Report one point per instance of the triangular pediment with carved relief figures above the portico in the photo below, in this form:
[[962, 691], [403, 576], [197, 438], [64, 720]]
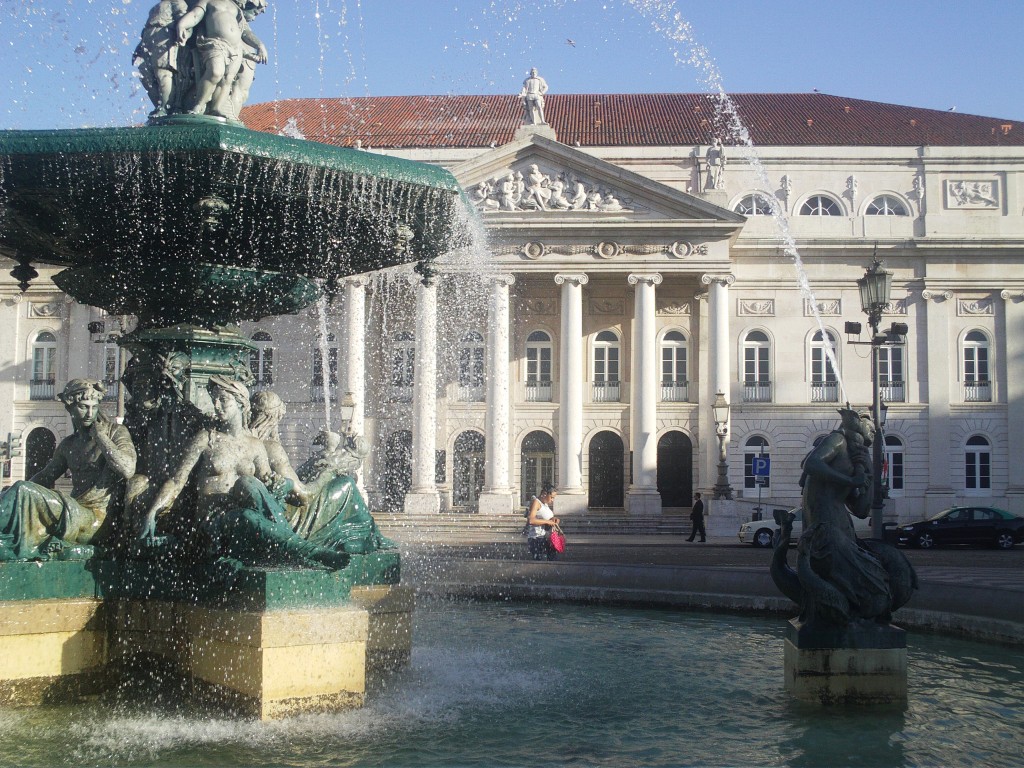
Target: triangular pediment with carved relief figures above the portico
[[536, 177]]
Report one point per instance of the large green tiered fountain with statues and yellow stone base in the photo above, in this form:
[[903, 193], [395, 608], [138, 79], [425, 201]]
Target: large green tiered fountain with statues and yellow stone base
[[267, 587]]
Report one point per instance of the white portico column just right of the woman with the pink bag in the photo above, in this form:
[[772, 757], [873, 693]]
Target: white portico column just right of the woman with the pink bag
[[571, 371]]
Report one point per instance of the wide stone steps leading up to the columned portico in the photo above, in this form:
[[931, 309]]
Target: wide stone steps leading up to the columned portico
[[474, 527]]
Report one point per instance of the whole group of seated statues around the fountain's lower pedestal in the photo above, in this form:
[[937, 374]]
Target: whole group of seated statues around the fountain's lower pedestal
[[245, 503]]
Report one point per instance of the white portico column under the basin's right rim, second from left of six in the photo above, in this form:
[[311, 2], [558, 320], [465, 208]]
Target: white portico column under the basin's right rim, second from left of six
[[423, 496]]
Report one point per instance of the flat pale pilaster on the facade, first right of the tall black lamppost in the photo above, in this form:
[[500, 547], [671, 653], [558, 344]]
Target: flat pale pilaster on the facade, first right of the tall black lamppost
[[940, 493]]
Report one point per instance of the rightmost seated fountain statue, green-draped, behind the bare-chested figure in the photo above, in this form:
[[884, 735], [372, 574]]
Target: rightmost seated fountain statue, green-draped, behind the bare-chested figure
[[334, 514]]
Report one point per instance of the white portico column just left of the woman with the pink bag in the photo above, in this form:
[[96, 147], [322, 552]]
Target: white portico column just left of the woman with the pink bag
[[498, 496]]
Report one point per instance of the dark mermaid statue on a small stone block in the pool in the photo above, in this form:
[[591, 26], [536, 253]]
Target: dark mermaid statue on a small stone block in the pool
[[841, 580]]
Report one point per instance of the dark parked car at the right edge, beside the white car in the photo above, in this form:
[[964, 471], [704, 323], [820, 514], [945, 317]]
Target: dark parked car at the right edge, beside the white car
[[987, 527]]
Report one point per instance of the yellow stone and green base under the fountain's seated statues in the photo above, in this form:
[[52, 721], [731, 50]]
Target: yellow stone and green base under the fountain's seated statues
[[270, 654]]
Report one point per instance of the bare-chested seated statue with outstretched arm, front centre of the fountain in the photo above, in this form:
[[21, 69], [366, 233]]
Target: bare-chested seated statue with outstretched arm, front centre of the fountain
[[241, 501]]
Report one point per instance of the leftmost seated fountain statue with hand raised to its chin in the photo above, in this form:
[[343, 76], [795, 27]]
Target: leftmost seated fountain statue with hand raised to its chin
[[38, 523]]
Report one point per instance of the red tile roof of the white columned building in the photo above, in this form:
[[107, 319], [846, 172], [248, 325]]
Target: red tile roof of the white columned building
[[628, 120]]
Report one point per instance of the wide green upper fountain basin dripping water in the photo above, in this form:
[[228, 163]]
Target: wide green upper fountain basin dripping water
[[204, 222]]
